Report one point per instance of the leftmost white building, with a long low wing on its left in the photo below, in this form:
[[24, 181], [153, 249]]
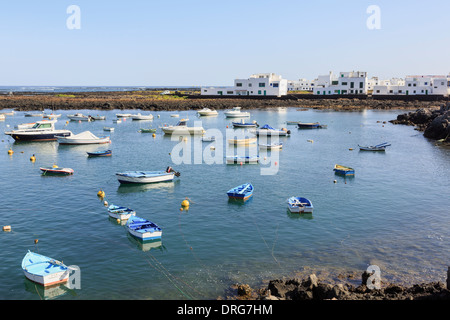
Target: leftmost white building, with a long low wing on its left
[[261, 84]]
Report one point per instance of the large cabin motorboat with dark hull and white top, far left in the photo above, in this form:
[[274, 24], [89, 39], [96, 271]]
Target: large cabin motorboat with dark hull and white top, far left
[[43, 130]]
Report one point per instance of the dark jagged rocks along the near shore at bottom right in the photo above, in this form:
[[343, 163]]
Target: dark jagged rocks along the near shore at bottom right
[[314, 288]]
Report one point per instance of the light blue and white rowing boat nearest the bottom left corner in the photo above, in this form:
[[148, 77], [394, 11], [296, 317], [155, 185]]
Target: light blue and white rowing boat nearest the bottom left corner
[[44, 270]]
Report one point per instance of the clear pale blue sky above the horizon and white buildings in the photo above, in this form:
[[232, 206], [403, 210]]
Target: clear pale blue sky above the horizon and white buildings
[[211, 43]]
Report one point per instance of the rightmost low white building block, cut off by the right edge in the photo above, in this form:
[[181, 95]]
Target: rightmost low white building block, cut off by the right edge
[[415, 85]]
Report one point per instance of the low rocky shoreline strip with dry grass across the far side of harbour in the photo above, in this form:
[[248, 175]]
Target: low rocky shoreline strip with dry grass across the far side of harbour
[[151, 101]]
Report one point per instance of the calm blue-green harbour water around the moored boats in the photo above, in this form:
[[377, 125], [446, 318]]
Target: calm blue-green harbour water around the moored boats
[[394, 213]]
